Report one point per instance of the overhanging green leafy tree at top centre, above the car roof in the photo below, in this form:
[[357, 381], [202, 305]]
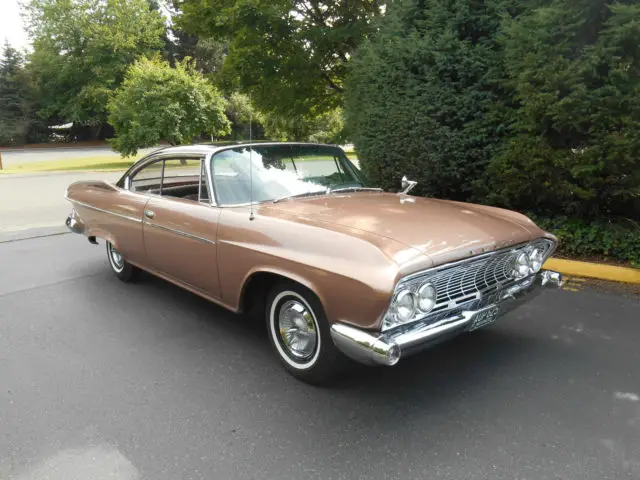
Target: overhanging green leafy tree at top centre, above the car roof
[[291, 54]]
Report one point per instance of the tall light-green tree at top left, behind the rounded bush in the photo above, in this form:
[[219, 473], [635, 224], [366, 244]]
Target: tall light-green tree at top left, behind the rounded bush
[[81, 49]]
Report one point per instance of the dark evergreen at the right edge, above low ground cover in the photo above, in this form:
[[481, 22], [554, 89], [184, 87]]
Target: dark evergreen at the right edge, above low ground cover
[[574, 67]]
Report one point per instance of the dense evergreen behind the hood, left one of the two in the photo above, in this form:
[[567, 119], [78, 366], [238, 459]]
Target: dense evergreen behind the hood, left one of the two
[[424, 97]]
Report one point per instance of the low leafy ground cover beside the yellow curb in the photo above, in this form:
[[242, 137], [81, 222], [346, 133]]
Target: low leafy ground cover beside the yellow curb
[[614, 240]]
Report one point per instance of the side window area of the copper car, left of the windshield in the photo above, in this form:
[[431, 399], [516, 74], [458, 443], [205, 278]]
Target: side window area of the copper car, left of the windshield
[[173, 177]]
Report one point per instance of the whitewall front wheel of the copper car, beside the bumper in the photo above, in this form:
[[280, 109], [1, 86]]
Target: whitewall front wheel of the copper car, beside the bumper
[[299, 333]]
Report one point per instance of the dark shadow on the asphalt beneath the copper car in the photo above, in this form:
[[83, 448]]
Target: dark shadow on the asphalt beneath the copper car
[[444, 370]]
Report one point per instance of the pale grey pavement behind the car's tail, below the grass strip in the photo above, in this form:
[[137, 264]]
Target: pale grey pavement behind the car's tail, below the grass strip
[[36, 202]]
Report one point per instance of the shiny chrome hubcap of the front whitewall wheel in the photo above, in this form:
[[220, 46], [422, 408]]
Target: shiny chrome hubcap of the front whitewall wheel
[[297, 329]]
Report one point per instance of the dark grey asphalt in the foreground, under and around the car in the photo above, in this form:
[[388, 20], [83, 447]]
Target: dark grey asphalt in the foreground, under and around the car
[[100, 379]]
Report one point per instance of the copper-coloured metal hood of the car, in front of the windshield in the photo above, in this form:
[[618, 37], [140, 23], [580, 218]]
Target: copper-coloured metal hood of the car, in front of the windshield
[[444, 230]]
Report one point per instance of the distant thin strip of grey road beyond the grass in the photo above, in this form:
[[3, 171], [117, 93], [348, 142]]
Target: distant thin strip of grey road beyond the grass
[[14, 157]]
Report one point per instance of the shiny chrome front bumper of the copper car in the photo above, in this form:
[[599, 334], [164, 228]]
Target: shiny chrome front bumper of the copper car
[[375, 348]]
